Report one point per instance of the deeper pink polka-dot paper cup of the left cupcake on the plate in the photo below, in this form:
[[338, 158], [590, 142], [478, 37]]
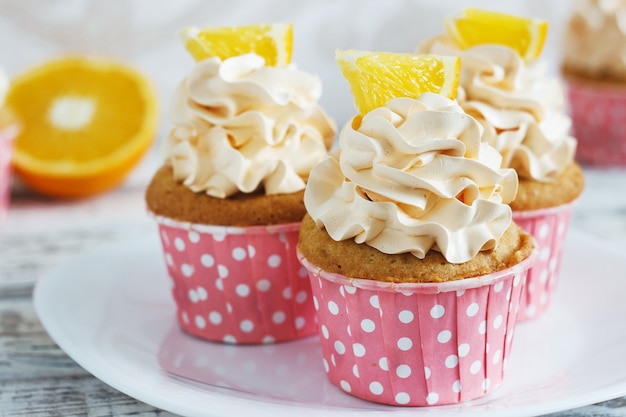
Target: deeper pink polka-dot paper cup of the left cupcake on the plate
[[238, 284]]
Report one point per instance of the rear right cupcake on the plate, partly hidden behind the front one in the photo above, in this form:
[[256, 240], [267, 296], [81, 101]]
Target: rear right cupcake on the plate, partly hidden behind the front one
[[521, 109]]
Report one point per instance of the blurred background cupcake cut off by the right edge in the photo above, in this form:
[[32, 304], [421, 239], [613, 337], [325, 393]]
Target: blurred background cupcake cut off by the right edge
[[594, 68]]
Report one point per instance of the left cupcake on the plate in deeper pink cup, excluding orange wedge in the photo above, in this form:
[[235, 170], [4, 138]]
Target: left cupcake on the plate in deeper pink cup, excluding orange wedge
[[228, 199]]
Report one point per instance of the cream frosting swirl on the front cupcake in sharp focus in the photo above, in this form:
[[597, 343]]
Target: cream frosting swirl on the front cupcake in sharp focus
[[414, 176]]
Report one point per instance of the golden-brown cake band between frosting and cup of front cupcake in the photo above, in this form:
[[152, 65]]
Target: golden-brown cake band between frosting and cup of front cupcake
[[355, 260]]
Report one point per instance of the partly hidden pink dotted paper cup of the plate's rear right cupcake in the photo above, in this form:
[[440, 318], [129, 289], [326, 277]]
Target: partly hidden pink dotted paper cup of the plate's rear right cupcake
[[549, 228]]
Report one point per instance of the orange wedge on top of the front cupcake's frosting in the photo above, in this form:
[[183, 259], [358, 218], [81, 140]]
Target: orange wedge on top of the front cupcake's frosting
[[377, 77]]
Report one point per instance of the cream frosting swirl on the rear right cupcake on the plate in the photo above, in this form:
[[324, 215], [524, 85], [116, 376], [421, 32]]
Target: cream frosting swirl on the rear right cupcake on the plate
[[521, 108]]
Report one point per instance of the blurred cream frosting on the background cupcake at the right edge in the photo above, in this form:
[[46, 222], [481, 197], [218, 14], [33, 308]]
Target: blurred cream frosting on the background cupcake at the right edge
[[595, 39]]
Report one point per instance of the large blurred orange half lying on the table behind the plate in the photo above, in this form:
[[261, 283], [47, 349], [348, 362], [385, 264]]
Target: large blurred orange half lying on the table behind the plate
[[86, 122]]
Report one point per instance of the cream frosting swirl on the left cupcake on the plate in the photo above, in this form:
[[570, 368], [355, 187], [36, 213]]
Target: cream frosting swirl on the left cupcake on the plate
[[239, 125]]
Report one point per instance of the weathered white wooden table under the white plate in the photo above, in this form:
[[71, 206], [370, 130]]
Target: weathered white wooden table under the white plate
[[38, 379]]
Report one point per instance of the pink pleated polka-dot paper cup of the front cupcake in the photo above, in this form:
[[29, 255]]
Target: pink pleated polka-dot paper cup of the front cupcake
[[417, 344]]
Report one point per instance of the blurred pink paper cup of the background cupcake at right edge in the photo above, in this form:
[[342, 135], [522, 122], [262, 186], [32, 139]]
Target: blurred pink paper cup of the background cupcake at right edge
[[599, 124]]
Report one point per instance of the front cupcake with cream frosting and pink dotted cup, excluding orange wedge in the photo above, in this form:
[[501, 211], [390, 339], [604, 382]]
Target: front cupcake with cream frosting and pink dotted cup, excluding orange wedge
[[415, 263]]
